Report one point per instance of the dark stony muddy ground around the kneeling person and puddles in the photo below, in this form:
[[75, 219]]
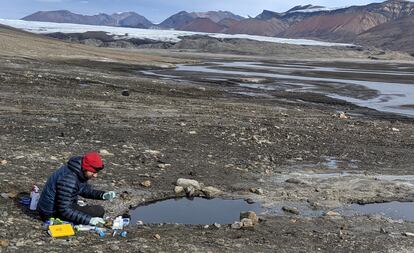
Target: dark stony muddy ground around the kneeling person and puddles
[[293, 150]]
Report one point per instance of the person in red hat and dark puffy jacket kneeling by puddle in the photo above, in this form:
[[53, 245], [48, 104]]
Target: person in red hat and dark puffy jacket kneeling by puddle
[[60, 195]]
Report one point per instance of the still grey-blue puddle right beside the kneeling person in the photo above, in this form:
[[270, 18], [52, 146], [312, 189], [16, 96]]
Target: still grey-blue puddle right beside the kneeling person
[[193, 211]]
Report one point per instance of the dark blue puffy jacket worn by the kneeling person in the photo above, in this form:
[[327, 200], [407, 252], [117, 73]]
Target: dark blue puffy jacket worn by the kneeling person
[[62, 190]]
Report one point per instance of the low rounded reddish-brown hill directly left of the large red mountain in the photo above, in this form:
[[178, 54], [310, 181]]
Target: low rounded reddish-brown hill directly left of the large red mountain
[[252, 26]]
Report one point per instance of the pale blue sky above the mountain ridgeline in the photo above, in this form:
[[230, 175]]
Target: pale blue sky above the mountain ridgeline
[[158, 10]]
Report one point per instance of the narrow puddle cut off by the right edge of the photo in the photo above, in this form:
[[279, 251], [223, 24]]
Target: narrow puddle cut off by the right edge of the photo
[[394, 210]]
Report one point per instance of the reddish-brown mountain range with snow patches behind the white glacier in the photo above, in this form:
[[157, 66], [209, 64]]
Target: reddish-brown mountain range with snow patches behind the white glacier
[[367, 25]]
